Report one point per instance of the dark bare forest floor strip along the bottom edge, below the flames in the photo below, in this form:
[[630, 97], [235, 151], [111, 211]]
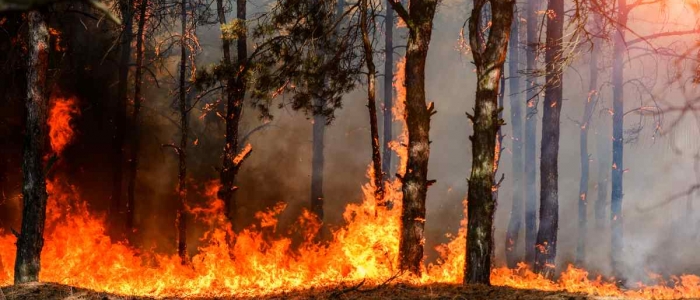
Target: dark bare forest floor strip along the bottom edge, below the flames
[[51, 291]]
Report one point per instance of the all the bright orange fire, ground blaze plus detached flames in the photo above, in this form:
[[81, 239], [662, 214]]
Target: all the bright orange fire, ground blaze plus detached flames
[[78, 252]]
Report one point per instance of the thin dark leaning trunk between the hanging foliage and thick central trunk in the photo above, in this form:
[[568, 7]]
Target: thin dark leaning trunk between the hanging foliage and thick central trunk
[[371, 102]]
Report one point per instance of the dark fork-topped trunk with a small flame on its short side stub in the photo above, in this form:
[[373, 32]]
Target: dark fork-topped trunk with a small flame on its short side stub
[[235, 94]]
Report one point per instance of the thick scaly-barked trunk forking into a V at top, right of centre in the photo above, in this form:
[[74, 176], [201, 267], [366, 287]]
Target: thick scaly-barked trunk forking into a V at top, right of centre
[[489, 56]]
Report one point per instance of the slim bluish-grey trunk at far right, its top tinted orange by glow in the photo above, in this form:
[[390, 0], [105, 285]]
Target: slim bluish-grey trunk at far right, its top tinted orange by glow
[[618, 139]]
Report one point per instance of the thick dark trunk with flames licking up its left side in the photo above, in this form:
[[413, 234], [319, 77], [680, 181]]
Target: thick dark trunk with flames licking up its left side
[[415, 182]]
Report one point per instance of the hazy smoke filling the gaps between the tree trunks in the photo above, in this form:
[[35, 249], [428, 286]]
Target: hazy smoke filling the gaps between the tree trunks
[[661, 240]]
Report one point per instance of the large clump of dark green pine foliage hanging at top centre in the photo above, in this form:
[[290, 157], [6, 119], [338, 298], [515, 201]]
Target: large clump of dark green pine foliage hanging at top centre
[[308, 59]]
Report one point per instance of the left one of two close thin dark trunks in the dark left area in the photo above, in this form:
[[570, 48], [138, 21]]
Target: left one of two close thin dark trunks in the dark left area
[[125, 7]]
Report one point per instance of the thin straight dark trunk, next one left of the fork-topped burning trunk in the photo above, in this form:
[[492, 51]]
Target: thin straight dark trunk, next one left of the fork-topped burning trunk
[[181, 218]]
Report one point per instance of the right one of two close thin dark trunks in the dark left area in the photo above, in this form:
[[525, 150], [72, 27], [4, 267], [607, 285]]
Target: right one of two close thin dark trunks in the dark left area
[[136, 128]]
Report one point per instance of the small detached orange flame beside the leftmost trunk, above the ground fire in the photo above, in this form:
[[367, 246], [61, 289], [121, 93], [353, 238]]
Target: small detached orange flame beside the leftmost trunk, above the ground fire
[[60, 131]]
